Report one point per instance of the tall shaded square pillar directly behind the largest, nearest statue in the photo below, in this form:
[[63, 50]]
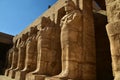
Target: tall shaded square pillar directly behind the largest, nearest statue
[[89, 66]]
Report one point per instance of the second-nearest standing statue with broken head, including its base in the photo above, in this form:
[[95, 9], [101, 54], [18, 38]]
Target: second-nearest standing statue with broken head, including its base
[[48, 59]]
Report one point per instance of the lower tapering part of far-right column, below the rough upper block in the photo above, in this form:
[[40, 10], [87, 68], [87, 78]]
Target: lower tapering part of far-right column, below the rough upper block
[[113, 31]]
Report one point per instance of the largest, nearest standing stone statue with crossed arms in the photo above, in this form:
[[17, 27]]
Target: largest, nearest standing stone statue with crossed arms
[[71, 39]]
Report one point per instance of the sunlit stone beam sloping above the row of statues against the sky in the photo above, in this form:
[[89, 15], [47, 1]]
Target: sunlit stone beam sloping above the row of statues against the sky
[[51, 12]]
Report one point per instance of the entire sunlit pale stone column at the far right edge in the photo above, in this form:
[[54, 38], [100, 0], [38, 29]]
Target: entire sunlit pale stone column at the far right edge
[[113, 30]]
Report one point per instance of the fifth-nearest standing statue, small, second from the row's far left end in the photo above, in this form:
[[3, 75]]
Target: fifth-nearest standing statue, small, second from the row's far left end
[[14, 57]]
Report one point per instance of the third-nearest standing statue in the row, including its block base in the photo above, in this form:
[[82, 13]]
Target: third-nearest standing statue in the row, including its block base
[[31, 55]]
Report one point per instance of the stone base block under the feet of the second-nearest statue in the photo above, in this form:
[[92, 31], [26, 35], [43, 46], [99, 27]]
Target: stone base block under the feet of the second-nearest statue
[[31, 76]]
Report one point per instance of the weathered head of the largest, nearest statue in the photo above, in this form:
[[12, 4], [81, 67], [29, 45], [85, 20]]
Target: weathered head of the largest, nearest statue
[[69, 5]]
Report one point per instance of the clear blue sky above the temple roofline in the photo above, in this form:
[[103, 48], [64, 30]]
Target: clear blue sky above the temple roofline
[[16, 15]]
